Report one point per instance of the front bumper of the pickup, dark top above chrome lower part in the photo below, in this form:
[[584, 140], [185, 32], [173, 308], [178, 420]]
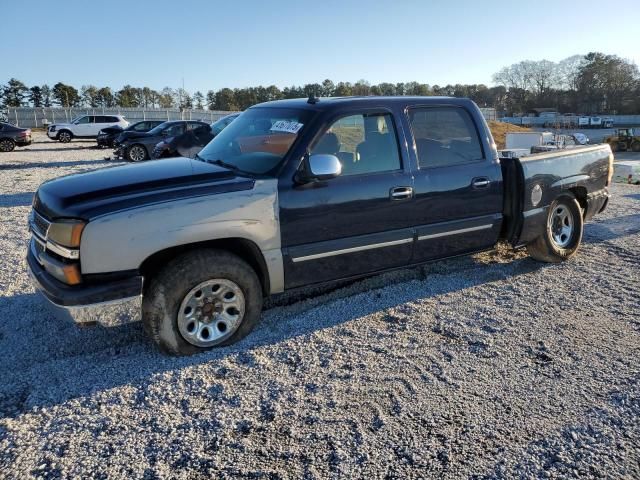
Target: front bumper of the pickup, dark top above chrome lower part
[[109, 302]]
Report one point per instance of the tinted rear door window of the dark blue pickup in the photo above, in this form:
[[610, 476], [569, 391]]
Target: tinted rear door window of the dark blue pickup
[[444, 136]]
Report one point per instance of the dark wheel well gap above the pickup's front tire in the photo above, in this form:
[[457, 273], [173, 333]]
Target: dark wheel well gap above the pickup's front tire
[[245, 249]]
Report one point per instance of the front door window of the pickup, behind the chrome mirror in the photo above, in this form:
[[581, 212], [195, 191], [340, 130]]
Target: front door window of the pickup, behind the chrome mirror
[[365, 143]]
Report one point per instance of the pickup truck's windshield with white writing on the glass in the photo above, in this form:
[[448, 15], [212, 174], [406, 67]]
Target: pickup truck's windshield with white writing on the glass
[[256, 141]]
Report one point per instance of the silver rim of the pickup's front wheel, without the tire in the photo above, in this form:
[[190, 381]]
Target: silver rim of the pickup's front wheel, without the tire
[[211, 312]]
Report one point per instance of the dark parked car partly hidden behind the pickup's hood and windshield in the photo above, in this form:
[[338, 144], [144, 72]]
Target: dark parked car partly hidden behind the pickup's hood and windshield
[[192, 141]]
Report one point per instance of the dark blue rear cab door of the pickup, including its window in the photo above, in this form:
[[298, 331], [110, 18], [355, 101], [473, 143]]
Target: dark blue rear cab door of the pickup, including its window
[[458, 185]]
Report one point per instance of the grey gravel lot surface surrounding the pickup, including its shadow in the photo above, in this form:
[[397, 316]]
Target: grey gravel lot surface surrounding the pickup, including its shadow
[[492, 366]]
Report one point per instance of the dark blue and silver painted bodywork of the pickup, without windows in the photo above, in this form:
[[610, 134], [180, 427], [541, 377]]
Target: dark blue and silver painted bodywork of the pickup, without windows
[[321, 231]]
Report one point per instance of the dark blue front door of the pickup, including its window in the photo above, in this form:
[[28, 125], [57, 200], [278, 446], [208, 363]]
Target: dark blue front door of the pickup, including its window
[[358, 222]]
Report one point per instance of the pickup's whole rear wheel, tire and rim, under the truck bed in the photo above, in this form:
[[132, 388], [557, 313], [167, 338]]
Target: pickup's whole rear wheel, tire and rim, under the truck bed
[[562, 234]]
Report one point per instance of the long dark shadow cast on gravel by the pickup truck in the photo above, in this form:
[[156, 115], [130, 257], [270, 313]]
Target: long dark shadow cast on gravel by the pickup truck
[[52, 361]]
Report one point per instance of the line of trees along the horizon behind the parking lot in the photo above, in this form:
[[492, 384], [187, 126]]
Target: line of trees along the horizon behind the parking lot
[[593, 83]]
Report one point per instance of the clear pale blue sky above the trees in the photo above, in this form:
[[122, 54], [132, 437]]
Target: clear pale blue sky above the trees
[[215, 44]]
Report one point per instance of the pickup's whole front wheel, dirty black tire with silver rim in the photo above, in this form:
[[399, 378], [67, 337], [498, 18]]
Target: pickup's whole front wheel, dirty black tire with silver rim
[[176, 318]]
